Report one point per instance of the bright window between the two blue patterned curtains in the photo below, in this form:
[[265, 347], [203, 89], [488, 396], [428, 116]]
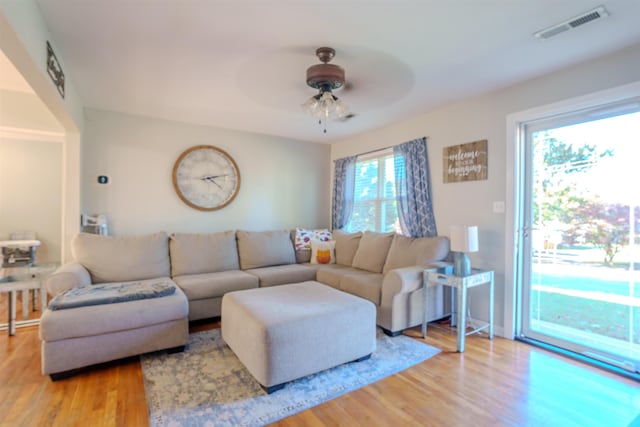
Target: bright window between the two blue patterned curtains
[[375, 207]]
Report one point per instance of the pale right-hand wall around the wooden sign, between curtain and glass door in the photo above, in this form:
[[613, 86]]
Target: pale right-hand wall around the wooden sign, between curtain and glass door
[[484, 117]]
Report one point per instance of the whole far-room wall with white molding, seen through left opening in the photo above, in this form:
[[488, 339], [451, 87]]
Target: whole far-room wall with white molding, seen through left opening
[[31, 144]]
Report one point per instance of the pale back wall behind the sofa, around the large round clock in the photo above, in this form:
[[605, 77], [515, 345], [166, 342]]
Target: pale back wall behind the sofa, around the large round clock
[[284, 182]]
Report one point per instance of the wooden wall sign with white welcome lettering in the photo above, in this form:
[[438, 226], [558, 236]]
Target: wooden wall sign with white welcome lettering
[[465, 162]]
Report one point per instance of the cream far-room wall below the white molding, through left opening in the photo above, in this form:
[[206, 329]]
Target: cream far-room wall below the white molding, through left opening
[[30, 192]]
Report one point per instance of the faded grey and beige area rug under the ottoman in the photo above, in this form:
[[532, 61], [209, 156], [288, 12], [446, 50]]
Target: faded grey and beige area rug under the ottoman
[[207, 385]]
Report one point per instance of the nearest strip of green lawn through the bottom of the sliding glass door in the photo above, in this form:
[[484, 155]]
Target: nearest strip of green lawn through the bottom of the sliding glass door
[[598, 317]]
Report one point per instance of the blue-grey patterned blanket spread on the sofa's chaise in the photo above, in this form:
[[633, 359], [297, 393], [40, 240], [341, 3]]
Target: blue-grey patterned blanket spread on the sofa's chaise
[[111, 293]]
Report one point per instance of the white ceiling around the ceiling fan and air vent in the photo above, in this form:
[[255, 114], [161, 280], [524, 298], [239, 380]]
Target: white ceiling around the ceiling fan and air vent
[[241, 64]]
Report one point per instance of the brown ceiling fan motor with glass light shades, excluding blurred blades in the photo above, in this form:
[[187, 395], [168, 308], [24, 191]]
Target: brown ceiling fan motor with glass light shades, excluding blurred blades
[[325, 77]]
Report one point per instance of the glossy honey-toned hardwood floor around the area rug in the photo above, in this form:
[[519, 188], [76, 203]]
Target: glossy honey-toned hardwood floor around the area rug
[[494, 383]]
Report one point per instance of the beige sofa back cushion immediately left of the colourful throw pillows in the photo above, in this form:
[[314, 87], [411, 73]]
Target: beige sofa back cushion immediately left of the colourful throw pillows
[[265, 248]]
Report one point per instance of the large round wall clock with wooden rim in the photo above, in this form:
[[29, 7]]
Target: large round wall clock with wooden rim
[[206, 177]]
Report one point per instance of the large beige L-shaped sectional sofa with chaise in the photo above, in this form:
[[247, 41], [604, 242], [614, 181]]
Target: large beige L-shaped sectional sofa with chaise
[[385, 269]]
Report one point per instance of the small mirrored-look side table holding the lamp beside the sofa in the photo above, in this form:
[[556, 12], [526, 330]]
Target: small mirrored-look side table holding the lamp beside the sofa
[[477, 277]]
